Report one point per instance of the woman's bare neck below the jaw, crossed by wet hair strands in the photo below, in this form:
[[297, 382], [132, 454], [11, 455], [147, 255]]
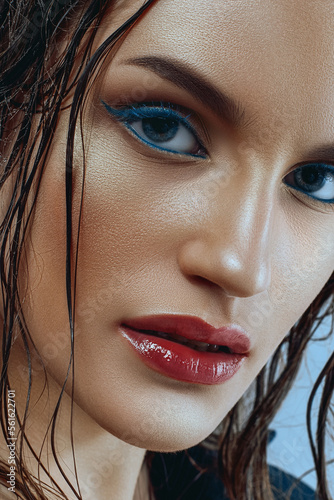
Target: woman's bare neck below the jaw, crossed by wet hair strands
[[106, 466]]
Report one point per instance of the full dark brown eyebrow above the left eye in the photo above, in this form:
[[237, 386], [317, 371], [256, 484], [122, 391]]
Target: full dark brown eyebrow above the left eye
[[188, 79]]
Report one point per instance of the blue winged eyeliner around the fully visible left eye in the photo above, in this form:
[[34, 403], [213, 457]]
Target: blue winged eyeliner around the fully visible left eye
[[132, 113]]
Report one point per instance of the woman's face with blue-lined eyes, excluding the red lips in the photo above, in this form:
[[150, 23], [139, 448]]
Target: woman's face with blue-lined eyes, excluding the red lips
[[192, 206]]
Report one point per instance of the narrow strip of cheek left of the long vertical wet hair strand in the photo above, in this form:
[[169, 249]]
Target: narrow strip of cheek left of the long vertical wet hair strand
[[43, 284]]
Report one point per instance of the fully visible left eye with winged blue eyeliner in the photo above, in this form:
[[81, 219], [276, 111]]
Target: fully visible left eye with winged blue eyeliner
[[160, 126]]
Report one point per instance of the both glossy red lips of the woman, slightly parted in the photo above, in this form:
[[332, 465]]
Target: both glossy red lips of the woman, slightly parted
[[187, 348]]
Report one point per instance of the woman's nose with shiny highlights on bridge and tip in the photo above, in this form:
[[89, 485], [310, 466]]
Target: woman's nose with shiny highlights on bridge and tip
[[232, 247]]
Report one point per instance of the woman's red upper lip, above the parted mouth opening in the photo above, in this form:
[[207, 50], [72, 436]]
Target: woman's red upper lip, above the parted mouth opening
[[194, 329]]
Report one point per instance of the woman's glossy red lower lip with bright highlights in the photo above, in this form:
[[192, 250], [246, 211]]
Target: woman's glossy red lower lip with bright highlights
[[180, 362]]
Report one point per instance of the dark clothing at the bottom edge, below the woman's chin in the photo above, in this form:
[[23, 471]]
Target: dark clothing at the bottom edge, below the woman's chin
[[185, 482]]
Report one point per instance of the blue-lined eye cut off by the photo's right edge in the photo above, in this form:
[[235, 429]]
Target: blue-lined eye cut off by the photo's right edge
[[316, 180]]
